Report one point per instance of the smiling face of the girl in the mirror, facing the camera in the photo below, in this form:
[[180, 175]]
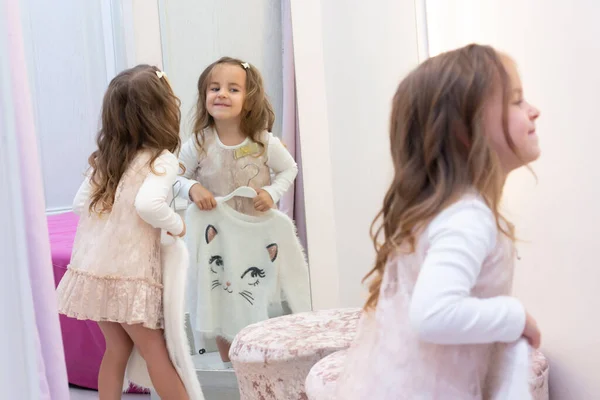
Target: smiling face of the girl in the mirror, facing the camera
[[226, 92]]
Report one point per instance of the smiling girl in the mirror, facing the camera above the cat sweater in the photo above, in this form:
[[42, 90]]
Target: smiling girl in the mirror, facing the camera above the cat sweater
[[232, 145]]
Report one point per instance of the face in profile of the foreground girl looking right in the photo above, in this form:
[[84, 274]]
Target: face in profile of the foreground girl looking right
[[521, 124]]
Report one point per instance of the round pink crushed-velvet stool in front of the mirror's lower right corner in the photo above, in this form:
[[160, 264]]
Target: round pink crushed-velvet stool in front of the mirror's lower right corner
[[272, 358]]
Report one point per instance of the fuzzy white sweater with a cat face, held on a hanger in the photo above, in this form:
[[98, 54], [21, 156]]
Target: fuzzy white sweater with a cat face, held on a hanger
[[239, 266]]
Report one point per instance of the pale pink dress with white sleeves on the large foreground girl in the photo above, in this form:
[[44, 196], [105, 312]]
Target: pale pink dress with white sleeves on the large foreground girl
[[441, 313]]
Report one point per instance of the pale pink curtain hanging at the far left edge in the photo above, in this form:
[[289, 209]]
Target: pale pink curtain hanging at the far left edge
[[51, 369]]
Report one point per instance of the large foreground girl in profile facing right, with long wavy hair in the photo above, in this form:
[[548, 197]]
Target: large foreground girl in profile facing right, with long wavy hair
[[439, 312]]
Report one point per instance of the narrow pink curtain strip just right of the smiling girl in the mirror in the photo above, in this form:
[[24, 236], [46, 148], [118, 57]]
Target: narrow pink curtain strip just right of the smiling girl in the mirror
[[292, 202]]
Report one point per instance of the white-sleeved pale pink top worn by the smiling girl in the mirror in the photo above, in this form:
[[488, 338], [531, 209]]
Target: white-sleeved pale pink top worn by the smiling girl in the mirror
[[218, 170]]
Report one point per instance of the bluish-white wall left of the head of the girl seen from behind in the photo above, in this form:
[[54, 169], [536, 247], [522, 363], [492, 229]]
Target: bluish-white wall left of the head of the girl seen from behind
[[68, 75]]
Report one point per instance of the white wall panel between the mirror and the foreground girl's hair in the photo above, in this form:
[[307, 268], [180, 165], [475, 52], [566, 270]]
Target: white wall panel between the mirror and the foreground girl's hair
[[367, 51]]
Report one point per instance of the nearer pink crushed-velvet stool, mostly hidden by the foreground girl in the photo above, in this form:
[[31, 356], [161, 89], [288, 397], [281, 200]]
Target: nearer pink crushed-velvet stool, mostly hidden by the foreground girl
[[321, 381]]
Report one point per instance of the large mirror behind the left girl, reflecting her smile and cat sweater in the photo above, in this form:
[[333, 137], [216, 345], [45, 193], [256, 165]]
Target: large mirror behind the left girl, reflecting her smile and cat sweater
[[246, 265]]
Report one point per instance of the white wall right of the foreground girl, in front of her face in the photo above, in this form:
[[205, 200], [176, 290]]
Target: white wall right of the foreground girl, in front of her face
[[556, 46]]
